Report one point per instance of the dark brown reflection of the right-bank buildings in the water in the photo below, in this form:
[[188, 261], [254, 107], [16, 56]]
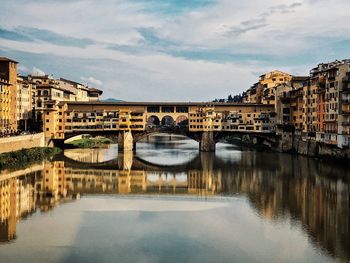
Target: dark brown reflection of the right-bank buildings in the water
[[300, 191]]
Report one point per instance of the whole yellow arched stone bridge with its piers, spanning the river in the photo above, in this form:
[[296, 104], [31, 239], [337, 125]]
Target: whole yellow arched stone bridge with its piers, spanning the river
[[206, 123]]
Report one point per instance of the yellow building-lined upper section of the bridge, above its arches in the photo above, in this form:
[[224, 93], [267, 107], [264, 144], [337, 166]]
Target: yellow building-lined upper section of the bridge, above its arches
[[85, 117]]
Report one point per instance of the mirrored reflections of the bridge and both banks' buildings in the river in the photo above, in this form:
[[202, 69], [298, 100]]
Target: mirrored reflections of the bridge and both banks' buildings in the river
[[280, 187]]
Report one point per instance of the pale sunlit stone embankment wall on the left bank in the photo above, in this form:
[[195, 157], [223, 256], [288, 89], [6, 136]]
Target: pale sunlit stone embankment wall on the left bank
[[10, 144]]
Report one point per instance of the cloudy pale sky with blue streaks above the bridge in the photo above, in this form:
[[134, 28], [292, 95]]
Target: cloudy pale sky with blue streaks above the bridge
[[172, 50]]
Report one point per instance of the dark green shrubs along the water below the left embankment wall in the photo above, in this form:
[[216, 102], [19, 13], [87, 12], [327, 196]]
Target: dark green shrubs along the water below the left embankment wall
[[25, 157]]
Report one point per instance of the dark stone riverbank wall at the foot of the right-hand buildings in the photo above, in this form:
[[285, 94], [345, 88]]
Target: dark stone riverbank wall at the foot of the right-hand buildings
[[289, 142]]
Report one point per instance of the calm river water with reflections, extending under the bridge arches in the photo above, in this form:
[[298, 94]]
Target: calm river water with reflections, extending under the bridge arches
[[169, 203]]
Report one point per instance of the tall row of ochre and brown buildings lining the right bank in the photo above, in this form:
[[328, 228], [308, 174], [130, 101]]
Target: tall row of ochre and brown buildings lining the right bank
[[317, 105]]
